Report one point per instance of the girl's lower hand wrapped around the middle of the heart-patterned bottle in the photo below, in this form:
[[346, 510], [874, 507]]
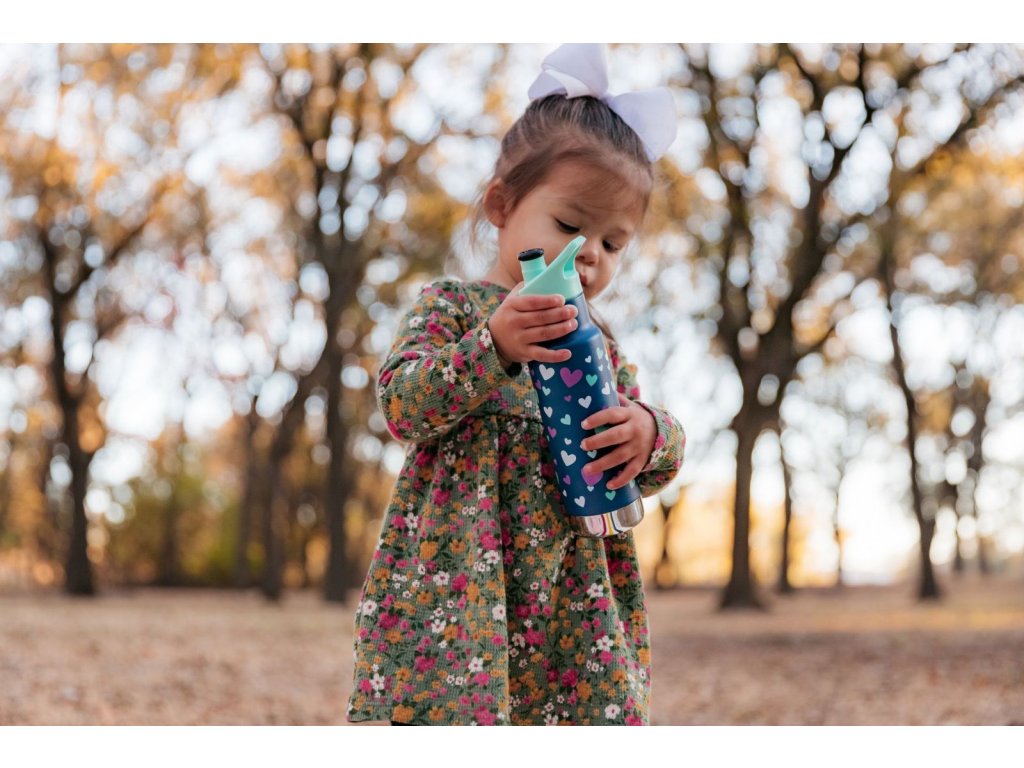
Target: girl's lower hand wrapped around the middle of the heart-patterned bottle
[[634, 433]]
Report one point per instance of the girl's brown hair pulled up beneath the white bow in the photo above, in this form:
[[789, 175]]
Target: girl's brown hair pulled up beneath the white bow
[[556, 130]]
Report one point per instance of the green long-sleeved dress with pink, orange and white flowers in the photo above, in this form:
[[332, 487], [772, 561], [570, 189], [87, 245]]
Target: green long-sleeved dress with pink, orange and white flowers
[[482, 607]]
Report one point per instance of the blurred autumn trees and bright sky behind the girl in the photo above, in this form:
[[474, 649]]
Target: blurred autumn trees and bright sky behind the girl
[[205, 251]]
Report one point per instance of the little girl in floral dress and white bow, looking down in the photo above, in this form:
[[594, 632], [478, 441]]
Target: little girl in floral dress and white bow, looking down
[[481, 606]]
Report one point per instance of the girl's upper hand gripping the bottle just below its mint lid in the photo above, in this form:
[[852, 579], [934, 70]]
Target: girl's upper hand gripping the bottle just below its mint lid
[[522, 323]]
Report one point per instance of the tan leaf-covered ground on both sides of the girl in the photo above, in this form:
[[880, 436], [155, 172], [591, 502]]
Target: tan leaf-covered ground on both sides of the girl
[[861, 656]]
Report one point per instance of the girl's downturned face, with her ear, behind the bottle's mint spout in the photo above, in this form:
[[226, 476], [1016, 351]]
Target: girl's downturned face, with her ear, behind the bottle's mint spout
[[574, 200]]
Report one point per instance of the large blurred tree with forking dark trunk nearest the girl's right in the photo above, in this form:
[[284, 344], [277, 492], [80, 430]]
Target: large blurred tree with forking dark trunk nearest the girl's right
[[782, 257]]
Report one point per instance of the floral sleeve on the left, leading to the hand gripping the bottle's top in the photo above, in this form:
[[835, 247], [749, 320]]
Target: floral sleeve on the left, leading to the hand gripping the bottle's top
[[442, 366]]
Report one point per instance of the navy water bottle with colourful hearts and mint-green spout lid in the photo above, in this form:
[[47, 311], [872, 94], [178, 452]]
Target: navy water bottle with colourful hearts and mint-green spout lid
[[571, 392]]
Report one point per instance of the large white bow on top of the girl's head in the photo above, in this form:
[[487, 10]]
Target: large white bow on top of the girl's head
[[581, 70]]
